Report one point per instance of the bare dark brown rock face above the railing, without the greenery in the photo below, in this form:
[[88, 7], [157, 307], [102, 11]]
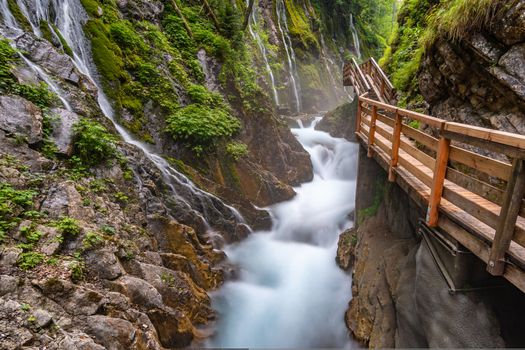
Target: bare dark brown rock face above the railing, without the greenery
[[480, 80]]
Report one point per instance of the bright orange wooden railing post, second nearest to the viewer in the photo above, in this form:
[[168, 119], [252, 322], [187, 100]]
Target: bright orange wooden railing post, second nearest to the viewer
[[440, 171]]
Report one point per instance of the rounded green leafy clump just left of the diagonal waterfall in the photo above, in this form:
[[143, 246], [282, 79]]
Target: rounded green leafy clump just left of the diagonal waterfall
[[93, 143]]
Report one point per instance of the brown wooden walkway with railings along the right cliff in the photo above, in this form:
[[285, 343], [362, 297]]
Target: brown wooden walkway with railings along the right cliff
[[476, 199]]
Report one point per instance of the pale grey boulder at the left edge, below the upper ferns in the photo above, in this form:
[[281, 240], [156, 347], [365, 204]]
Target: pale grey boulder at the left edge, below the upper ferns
[[18, 116]]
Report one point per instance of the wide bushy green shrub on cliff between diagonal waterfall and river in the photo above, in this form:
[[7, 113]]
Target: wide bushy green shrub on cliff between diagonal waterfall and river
[[201, 126]]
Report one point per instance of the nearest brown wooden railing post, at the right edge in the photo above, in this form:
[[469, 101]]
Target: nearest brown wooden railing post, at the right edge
[[507, 221]]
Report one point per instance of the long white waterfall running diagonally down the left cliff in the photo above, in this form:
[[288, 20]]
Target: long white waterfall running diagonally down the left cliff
[[69, 17]]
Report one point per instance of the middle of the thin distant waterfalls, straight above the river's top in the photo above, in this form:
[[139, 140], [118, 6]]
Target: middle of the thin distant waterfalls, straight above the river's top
[[282, 22]]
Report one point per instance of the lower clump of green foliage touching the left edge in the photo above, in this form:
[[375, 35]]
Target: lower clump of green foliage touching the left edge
[[13, 204]]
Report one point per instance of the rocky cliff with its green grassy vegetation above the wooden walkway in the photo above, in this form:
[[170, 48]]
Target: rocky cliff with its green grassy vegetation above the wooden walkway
[[462, 63]]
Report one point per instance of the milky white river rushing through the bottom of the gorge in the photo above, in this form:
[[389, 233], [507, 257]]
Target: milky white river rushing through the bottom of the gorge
[[290, 292]]
